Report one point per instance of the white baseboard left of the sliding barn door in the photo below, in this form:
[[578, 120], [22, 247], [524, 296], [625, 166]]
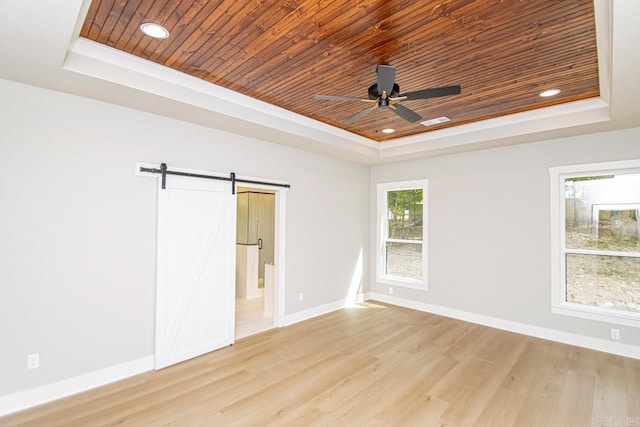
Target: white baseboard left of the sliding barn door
[[37, 396]]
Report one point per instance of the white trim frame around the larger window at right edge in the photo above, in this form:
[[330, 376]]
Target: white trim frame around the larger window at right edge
[[559, 304]]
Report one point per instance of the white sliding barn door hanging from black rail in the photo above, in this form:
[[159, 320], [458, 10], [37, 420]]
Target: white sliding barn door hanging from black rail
[[195, 293]]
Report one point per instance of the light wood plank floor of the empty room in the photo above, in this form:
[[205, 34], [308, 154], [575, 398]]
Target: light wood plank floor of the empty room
[[371, 365]]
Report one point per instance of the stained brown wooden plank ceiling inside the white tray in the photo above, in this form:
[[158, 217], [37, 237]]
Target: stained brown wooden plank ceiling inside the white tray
[[501, 52]]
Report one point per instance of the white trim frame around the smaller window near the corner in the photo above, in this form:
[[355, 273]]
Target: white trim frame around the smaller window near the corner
[[382, 232]]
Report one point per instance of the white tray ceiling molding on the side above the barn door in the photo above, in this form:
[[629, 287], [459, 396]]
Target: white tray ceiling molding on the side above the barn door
[[99, 61]]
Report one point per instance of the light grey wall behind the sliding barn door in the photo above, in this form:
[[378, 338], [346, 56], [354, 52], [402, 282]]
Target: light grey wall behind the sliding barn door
[[78, 228]]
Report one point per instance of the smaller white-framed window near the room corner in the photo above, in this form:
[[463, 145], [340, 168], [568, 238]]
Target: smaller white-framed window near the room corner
[[402, 218]]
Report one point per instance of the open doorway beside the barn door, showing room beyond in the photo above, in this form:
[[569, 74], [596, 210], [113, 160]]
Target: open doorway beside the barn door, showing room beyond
[[256, 239]]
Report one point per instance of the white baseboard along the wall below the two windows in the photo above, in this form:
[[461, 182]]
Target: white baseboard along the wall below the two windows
[[620, 349]]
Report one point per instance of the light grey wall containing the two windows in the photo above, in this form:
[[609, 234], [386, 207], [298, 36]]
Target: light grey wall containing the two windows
[[489, 229]]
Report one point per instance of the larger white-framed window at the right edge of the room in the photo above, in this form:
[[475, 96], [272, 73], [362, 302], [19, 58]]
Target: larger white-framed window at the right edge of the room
[[595, 212]]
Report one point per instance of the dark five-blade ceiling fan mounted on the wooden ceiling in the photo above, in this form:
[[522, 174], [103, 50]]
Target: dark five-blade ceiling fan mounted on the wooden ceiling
[[385, 93]]
